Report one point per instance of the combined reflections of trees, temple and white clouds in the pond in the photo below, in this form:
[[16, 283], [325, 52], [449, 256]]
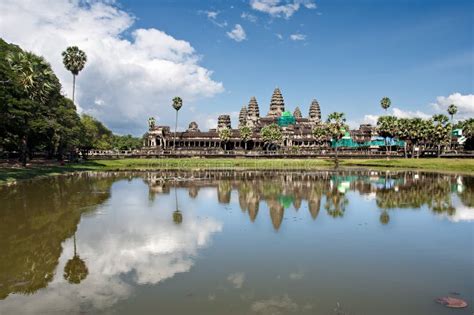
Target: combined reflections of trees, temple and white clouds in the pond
[[96, 237]]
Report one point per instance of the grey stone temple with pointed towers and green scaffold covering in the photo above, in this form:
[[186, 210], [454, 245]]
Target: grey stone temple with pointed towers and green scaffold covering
[[296, 129]]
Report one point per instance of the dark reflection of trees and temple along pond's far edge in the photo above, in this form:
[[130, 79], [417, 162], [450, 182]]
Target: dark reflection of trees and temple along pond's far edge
[[33, 227]]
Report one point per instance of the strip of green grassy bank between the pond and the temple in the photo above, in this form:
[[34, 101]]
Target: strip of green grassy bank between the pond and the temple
[[12, 174]]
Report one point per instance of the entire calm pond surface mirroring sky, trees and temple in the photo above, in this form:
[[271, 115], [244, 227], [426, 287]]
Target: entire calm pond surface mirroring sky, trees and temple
[[209, 242]]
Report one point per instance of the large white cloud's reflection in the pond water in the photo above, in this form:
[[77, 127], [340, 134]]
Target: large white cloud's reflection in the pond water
[[148, 249]]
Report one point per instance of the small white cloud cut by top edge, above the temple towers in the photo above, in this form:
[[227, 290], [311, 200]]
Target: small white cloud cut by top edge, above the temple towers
[[278, 8]]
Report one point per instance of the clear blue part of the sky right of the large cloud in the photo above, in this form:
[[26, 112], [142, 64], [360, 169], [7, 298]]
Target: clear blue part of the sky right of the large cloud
[[355, 52]]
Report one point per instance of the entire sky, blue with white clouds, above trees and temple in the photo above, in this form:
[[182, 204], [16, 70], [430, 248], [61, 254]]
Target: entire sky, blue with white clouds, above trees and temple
[[216, 55]]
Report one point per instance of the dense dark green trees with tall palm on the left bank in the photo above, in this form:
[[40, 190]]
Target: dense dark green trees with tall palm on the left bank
[[36, 117]]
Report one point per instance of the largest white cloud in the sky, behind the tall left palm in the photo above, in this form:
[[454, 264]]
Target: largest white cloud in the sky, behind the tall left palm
[[134, 72]]
